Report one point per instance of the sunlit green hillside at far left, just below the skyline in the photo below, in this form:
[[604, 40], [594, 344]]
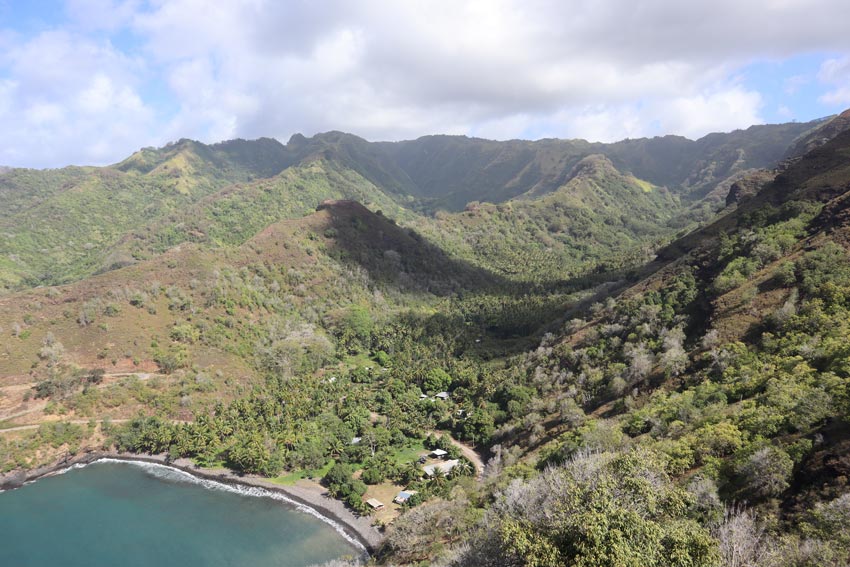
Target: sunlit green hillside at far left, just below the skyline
[[61, 224]]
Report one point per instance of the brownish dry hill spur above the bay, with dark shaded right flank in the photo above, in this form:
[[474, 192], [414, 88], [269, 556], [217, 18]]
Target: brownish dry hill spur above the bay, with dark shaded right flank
[[192, 311]]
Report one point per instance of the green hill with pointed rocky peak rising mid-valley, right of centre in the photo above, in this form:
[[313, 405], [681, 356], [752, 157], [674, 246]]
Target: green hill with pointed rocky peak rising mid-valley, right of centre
[[599, 220]]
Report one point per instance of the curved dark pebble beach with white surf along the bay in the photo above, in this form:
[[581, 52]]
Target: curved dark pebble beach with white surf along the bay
[[329, 510]]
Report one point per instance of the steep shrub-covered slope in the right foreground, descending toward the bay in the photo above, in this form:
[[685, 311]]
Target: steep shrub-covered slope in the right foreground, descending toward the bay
[[719, 378]]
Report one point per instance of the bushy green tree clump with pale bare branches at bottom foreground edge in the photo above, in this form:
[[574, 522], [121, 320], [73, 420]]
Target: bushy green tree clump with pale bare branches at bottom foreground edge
[[597, 510]]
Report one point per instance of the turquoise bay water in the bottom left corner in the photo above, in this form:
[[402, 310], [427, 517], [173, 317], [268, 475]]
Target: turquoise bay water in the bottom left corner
[[118, 514]]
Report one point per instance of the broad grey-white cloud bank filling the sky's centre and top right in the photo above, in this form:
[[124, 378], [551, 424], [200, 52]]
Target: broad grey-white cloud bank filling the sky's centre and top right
[[394, 70]]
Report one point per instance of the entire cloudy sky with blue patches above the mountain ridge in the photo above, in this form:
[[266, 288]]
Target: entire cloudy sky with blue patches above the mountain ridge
[[91, 81]]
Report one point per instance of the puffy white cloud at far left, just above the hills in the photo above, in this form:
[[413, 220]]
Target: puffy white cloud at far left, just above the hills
[[72, 100]]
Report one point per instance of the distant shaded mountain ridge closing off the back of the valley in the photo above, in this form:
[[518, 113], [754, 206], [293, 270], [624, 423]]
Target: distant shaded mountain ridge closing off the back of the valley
[[447, 172]]
